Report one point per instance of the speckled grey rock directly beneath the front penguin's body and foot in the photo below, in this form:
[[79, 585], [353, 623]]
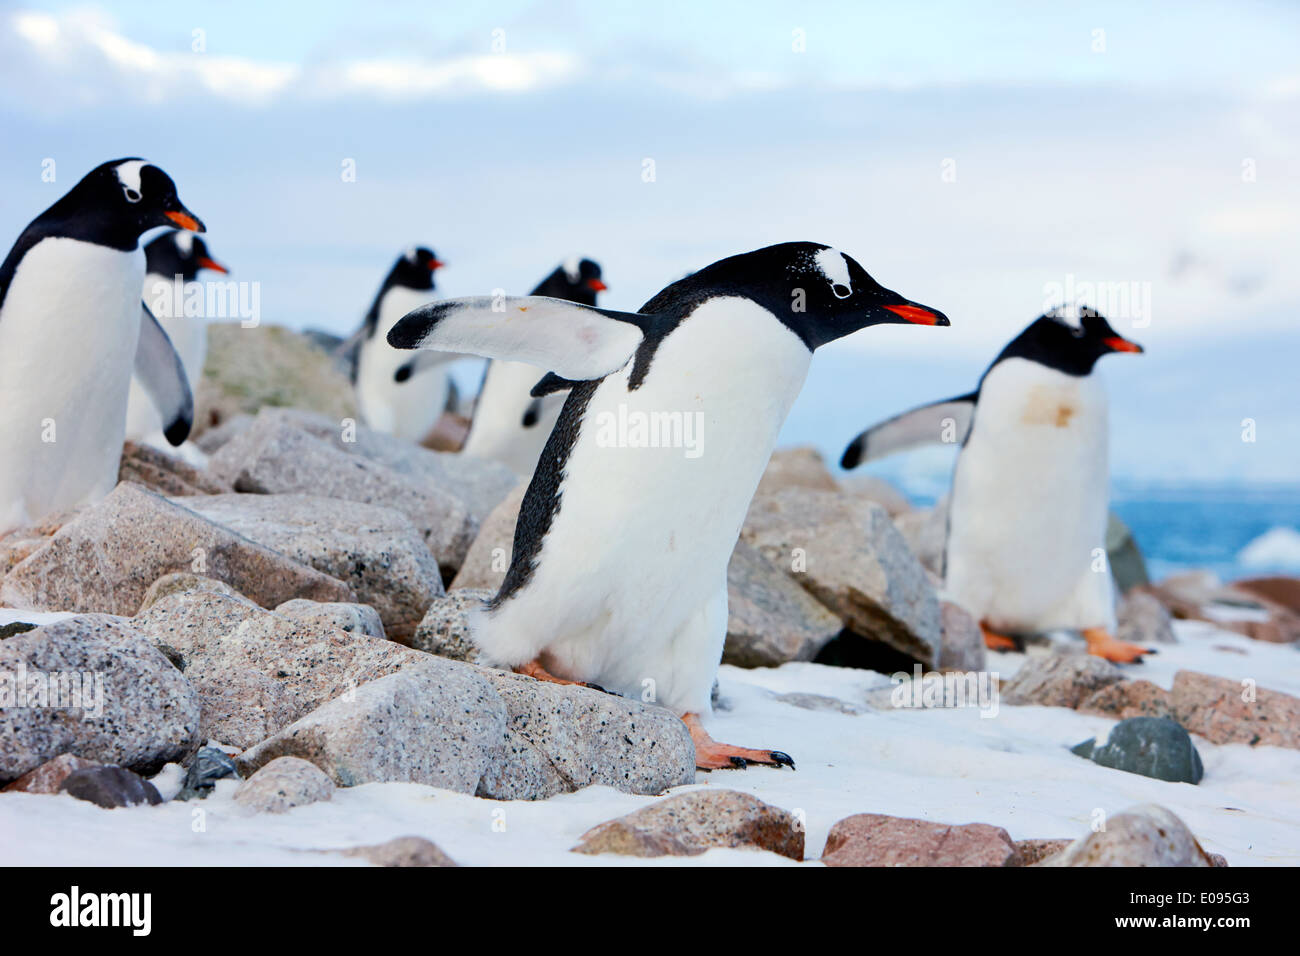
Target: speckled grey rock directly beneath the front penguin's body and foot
[[561, 738]]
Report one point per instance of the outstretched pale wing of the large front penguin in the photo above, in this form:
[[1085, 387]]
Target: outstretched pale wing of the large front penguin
[[575, 341]]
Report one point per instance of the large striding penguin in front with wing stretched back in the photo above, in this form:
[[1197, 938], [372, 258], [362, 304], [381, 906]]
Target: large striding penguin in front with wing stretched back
[[619, 569]]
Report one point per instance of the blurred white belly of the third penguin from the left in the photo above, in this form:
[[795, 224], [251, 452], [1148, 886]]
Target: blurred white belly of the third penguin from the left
[[411, 409]]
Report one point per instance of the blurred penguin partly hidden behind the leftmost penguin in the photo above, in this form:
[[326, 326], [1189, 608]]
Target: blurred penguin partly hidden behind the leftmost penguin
[[176, 253]]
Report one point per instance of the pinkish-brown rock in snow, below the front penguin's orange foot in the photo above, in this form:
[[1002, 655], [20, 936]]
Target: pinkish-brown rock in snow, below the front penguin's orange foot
[[692, 824]]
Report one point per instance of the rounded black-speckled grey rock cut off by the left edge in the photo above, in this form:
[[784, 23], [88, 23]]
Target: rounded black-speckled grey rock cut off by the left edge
[[133, 708]]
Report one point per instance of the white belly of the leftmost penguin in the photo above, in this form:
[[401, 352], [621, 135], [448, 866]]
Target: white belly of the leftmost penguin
[[68, 335]]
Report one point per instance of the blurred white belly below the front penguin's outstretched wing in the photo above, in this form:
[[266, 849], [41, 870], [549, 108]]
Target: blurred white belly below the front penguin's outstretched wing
[[499, 430]]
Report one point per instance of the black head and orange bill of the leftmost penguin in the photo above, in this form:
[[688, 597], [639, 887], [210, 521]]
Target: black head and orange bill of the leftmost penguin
[[118, 202]]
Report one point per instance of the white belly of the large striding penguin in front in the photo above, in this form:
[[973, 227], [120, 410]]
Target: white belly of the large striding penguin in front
[[630, 586]]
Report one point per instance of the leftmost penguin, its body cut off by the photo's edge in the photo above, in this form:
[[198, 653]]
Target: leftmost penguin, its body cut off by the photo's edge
[[72, 330]]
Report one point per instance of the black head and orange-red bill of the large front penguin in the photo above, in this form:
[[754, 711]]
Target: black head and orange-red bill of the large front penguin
[[820, 293]]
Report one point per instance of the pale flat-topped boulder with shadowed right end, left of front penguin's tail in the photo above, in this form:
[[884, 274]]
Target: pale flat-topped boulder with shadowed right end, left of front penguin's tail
[[374, 550]]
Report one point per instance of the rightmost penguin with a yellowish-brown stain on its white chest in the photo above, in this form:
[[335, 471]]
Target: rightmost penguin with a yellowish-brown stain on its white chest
[[1028, 513]]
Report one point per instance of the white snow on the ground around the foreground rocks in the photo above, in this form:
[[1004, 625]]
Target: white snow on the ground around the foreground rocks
[[954, 767]]
